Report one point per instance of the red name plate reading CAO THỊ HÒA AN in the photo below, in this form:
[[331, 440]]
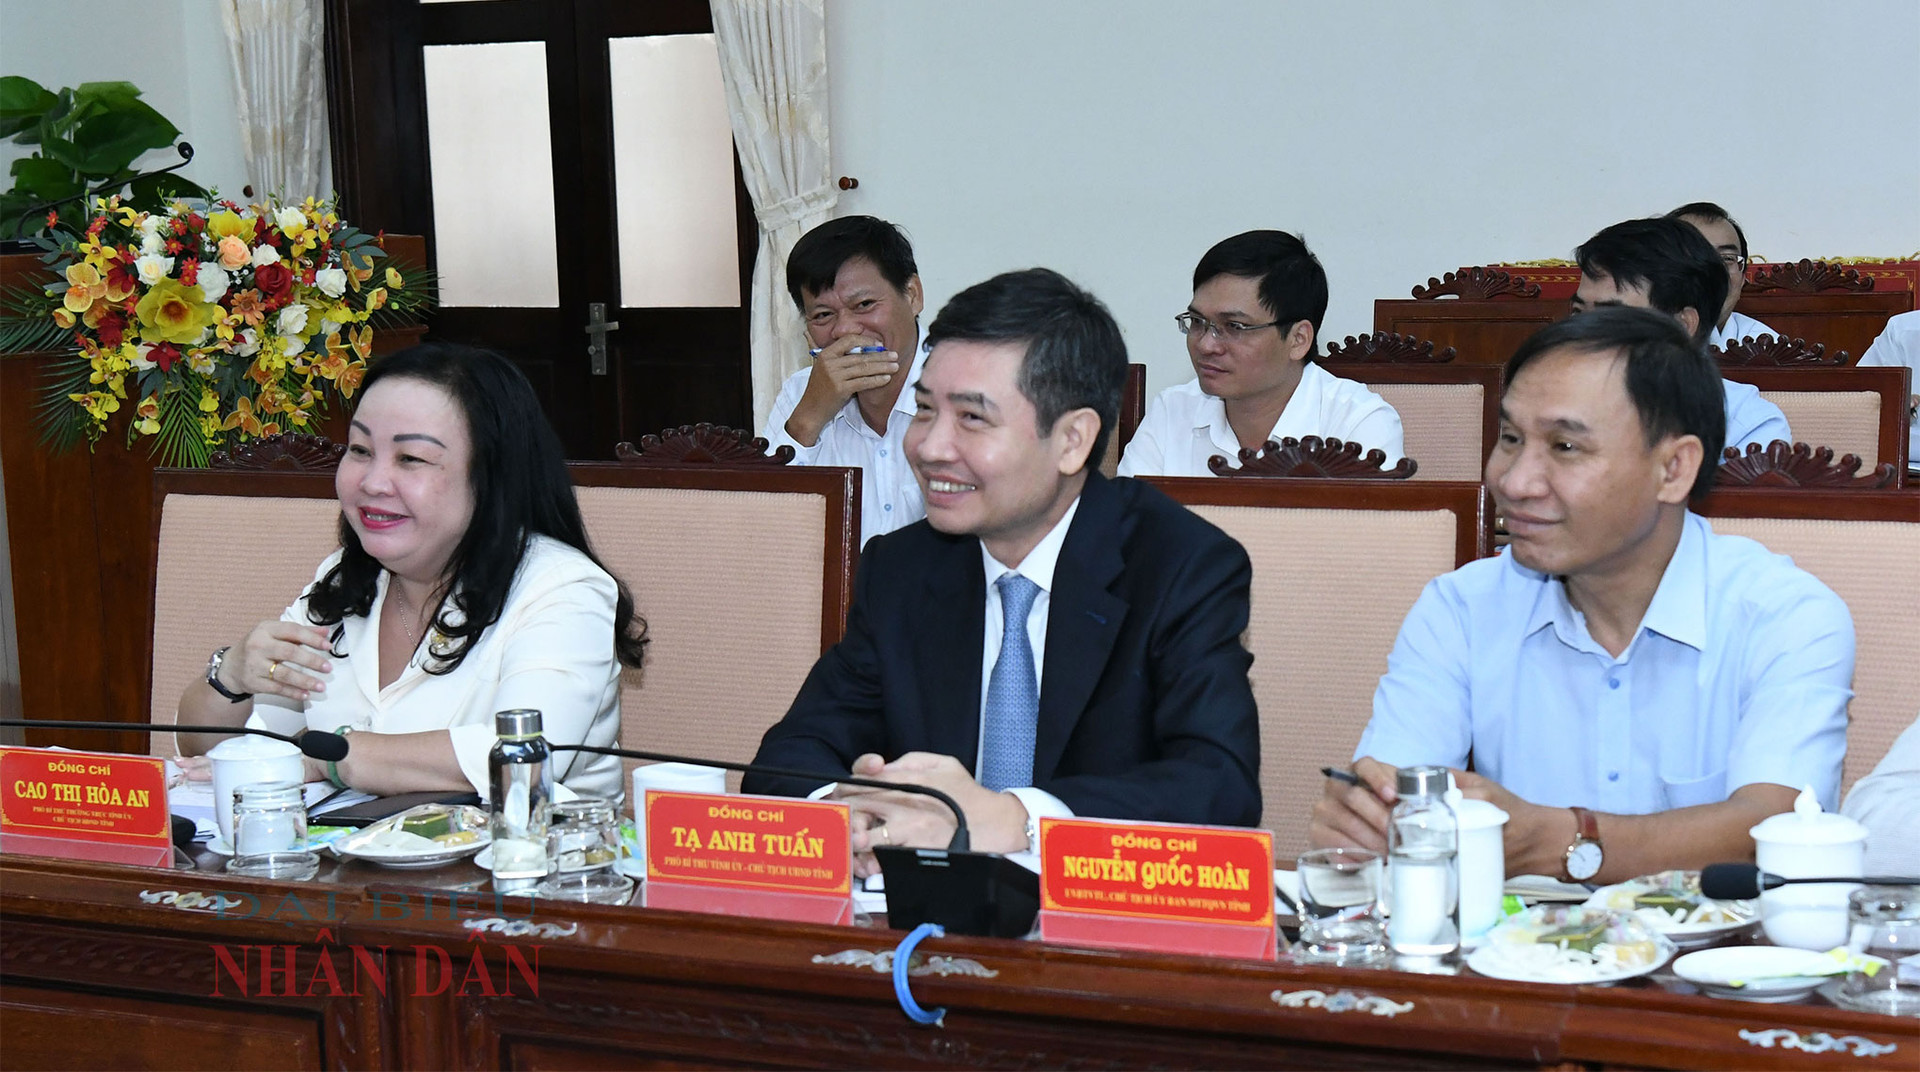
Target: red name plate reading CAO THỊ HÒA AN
[[85, 806]]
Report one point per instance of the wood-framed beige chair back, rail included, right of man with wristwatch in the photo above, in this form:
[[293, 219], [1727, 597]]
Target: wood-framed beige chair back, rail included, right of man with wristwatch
[[1863, 547]]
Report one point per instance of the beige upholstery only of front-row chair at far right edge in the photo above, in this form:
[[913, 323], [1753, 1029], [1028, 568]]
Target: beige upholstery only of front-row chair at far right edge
[[1871, 566]]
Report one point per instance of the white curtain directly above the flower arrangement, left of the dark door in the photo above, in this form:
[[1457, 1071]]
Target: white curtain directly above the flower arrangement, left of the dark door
[[279, 49]]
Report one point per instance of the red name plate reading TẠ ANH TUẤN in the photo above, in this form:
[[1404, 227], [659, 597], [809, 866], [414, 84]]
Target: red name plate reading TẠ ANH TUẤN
[[773, 858]]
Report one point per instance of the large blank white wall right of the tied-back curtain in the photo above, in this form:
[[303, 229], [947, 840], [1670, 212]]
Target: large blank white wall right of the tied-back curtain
[[1118, 139]]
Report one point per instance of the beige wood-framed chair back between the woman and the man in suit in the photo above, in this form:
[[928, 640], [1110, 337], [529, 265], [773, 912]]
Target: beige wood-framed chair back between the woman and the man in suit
[[744, 575]]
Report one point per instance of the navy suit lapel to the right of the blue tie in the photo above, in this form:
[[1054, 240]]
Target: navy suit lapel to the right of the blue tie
[[1082, 623]]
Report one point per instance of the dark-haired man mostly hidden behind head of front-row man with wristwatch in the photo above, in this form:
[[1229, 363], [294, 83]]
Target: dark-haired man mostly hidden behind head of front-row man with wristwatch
[[1668, 266]]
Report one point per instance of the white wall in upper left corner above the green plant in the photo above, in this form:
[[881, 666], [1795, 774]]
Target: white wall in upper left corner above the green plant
[[176, 51]]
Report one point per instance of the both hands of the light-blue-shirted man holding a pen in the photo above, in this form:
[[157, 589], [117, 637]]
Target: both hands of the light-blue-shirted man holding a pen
[[1356, 817]]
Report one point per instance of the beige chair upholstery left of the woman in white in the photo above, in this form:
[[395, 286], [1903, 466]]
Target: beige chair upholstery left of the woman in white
[[226, 564]]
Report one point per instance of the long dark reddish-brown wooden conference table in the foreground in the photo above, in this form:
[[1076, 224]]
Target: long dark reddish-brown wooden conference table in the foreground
[[364, 967]]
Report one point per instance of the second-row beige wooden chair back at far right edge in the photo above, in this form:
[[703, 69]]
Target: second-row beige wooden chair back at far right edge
[[1854, 410]]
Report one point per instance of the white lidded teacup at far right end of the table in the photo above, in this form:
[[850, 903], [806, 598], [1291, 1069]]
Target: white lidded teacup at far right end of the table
[[1804, 844]]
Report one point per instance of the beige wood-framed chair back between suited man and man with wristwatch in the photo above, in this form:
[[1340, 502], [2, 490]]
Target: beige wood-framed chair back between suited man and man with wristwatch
[[1337, 566]]
